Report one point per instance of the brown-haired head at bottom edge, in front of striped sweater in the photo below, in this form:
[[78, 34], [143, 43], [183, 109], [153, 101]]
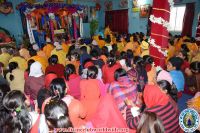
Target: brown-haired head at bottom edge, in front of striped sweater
[[150, 123]]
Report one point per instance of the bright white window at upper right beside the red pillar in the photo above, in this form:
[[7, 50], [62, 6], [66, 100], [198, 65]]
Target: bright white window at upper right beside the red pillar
[[176, 18]]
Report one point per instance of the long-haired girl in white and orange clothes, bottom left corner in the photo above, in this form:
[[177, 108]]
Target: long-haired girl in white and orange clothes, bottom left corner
[[20, 120]]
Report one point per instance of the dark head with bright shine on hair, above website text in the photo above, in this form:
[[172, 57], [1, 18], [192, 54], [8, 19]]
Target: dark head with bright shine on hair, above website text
[[57, 115]]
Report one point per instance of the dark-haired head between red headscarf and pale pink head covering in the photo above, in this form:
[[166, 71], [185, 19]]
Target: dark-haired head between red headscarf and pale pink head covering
[[170, 89]]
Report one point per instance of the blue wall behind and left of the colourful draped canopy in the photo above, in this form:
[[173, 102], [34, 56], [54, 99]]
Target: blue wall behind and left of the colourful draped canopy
[[12, 22]]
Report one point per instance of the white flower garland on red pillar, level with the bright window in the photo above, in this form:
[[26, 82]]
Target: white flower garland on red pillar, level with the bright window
[[160, 21]]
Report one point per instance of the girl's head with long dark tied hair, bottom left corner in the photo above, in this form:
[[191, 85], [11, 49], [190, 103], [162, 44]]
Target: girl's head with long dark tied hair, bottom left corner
[[19, 119]]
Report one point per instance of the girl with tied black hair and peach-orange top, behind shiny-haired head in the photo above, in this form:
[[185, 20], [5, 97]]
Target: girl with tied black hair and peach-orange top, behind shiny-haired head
[[77, 112]]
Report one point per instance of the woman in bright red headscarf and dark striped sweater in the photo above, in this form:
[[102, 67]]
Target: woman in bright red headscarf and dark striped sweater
[[158, 102]]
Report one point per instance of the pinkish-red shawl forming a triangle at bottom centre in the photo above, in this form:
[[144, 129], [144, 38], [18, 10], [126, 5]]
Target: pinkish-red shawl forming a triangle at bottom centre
[[108, 115]]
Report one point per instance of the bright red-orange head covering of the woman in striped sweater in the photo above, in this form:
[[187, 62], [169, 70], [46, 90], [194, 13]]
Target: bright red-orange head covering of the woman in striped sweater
[[153, 96]]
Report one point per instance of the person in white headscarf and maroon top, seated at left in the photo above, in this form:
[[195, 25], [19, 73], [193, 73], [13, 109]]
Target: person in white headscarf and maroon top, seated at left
[[34, 82]]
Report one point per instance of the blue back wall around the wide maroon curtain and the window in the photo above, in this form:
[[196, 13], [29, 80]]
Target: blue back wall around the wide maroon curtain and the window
[[137, 24]]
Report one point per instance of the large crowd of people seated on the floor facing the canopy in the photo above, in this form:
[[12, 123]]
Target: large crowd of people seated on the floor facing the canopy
[[109, 82]]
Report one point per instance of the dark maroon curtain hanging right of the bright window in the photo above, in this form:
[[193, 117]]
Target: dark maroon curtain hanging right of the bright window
[[188, 19]]
